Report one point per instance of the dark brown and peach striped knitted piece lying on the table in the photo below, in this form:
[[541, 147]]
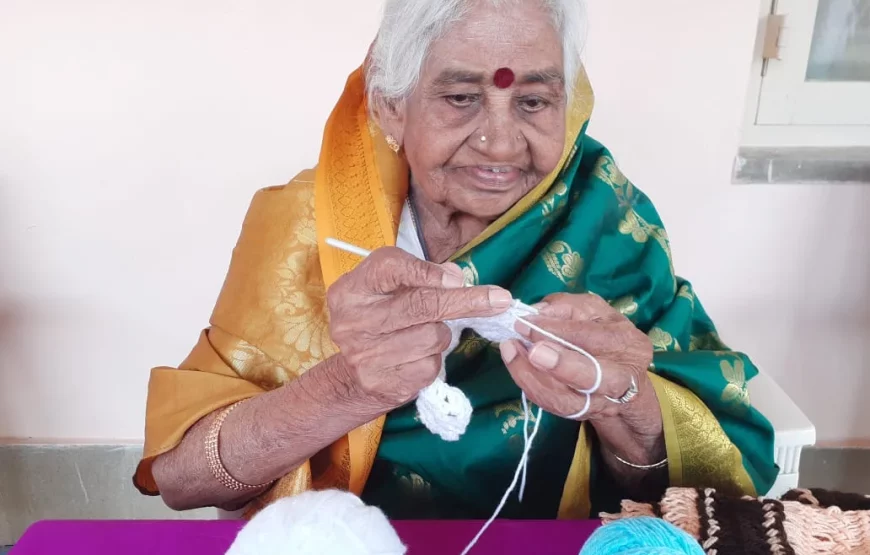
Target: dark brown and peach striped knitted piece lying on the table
[[803, 522]]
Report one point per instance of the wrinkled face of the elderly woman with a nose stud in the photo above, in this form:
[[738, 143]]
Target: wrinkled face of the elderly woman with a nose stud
[[472, 145]]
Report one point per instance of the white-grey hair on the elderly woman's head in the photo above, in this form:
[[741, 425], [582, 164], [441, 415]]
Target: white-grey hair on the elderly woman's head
[[409, 27]]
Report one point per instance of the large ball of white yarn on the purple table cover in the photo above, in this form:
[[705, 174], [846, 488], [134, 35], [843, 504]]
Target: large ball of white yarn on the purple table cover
[[318, 523]]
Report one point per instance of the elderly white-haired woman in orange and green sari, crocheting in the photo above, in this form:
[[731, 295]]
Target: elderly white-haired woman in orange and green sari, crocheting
[[458, 154]]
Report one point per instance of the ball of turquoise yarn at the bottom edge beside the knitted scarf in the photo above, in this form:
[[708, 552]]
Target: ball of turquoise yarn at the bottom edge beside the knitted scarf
[[641, 536]]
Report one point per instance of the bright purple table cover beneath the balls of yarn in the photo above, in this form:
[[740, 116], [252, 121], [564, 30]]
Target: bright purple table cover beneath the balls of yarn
[[553, 537]]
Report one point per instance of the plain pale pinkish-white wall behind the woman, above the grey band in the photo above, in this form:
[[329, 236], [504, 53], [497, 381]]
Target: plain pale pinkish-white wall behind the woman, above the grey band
[[133, 134]]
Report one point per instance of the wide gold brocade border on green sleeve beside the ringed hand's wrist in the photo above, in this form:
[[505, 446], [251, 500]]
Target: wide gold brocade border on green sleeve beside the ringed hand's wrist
[[699, 452]]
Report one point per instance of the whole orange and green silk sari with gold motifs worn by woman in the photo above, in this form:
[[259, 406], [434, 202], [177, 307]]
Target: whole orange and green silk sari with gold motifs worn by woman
[[585, 228]]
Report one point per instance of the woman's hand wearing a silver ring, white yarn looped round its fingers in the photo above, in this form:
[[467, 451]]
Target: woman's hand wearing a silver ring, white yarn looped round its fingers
[[551, 375]]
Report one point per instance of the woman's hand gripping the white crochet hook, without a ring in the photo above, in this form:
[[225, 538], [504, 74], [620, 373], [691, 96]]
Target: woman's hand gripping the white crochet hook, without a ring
[[386, 319]]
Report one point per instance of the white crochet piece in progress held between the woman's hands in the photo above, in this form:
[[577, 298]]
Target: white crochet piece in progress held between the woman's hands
[[444, 409]]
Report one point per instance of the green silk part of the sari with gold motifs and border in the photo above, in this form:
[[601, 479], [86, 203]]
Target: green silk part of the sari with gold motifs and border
[[592, 232]]
